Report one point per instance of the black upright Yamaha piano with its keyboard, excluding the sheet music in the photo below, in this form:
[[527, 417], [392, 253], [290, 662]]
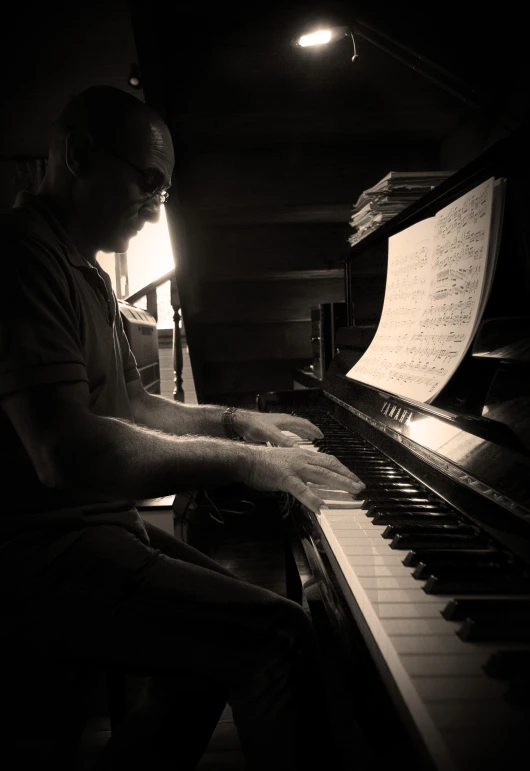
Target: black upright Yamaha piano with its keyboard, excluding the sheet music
[[421, 594]]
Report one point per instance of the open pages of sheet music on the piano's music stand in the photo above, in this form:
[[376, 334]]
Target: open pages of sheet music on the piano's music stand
[[434, 290]]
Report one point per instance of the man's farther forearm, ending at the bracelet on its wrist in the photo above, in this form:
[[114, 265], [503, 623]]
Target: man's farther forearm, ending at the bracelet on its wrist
[[172, 417]]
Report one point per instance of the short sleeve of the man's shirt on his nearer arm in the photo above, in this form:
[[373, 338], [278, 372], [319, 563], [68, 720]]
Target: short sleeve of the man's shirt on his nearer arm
[[39, 328]]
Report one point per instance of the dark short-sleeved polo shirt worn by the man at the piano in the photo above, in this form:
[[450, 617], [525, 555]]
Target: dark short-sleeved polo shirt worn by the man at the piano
[[59, 322]]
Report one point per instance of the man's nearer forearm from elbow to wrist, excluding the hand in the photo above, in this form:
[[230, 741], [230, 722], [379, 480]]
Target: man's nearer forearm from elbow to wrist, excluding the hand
[[116, 459]]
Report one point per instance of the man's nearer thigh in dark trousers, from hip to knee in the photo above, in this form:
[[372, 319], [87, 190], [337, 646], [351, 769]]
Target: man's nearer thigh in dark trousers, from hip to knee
[[113, 601]]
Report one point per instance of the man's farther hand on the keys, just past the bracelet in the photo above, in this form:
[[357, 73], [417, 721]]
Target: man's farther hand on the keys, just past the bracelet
[[268, 427]]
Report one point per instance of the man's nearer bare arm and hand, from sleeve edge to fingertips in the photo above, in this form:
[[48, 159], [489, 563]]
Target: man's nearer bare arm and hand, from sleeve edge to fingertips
[[71, 448]]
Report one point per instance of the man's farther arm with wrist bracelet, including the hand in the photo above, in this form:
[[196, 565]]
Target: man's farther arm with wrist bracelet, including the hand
[[172, 417]]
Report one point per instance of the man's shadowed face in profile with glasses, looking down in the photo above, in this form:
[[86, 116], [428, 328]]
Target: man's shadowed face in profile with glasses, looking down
[[125, 188]]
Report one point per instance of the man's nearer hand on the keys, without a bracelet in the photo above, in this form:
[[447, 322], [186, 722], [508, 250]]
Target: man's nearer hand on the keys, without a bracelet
[[290, 470]]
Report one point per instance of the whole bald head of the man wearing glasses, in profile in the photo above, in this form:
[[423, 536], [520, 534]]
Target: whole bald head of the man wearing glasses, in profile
[[110, 165]]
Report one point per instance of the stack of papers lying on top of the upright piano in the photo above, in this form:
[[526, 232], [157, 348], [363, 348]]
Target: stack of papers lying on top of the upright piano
[[396, 191]]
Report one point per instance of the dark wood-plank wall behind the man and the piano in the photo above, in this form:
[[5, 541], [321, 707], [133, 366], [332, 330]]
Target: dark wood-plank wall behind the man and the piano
[[274, 143]]
